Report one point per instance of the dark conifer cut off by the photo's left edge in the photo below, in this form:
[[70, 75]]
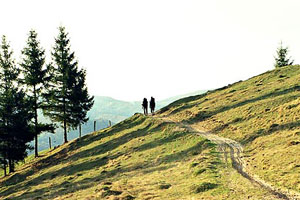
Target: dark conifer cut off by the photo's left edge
[[15, 112]]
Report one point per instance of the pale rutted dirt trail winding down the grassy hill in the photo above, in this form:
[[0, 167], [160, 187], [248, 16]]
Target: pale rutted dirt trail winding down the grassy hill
[[238, 163]]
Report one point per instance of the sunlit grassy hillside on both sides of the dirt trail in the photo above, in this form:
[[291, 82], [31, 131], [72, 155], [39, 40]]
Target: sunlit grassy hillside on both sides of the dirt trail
[[151, 158]]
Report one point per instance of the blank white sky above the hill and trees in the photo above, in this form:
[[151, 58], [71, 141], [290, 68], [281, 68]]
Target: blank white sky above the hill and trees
[[136, 49]]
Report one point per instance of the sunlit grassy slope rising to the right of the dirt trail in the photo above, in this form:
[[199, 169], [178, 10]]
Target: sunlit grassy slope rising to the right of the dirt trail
[[263, 113]]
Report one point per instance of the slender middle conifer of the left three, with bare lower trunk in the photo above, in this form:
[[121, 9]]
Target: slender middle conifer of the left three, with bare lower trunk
[[35, 76]]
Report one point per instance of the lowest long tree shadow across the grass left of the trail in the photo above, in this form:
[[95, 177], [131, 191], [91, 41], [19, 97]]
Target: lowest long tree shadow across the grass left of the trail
[[68, 187]]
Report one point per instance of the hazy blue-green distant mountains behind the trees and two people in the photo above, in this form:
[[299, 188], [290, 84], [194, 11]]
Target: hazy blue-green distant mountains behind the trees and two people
[[105, 109]]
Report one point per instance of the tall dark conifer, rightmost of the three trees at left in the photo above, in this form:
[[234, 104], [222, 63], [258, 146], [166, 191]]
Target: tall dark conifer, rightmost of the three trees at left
[[67, 93]]
